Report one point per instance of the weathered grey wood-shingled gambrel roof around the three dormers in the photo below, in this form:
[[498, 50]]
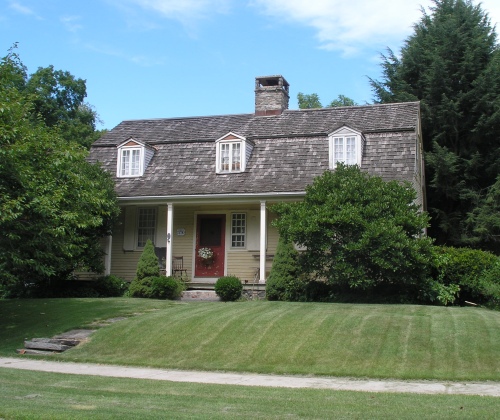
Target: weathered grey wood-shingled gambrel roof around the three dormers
[[290, 149]]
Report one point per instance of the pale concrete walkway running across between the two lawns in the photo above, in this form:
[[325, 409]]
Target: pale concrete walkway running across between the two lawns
[[250, 379]]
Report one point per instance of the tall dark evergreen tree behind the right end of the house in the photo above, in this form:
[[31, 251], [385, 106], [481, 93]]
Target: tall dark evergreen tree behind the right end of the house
[[452, 65]]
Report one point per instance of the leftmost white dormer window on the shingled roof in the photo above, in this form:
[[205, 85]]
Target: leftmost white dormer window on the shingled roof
[[133, 158]]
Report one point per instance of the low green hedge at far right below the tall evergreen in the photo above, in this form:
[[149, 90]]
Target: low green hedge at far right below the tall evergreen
[[466, 268]]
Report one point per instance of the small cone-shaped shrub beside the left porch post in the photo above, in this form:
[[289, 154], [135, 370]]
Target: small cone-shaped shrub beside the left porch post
[[147, 269]]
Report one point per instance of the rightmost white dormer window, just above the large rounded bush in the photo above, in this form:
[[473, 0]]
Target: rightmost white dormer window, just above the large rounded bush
[[346, 146]]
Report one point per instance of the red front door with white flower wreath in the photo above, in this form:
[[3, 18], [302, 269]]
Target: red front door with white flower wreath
[[210, 240]]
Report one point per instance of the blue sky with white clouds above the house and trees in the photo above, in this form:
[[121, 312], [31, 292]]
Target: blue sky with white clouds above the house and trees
[[179, 58]]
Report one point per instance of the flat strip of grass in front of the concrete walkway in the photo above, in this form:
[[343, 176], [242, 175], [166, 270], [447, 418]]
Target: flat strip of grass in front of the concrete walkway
[[40, 395]]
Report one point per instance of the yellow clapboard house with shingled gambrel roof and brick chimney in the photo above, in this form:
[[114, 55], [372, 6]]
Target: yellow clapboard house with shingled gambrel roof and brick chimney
[[209, 182]]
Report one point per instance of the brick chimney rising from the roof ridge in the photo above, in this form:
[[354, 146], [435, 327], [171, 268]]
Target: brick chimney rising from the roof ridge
[[271, 95]]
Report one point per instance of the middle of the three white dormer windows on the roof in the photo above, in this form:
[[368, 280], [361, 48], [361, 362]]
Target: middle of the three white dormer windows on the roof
[[232, 153]]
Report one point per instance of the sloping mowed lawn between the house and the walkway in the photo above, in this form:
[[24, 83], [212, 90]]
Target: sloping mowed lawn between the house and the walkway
[[380, 341]]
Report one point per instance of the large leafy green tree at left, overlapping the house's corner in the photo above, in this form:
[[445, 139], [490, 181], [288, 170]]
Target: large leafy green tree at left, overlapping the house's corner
[[54, 205]]
